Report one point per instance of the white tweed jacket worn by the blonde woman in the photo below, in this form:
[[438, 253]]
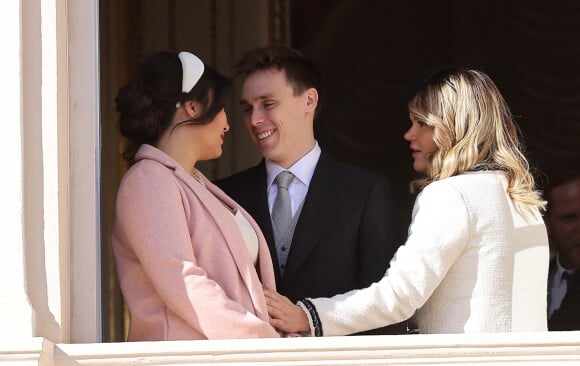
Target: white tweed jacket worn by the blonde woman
[[471, 264]]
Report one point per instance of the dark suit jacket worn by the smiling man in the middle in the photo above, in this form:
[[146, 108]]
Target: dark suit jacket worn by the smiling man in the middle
[[345, 236]]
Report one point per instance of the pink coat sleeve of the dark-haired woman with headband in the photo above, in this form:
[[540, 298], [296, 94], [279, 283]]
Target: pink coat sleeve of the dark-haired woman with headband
[[151, 217]]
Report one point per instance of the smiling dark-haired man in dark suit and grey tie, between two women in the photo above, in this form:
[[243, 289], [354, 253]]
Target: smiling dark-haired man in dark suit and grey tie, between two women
[[341, 233]]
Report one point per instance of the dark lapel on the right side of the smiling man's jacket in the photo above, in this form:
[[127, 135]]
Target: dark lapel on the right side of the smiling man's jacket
[[320, 207]]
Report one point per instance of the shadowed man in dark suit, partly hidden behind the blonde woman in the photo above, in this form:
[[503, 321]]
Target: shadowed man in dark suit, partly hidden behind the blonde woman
[[563, 223]]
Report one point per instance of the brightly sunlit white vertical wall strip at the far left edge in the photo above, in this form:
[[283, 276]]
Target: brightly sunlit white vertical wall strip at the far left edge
[[16, 315]]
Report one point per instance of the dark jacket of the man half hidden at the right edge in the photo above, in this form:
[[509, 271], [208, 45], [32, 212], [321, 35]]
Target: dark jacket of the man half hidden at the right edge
[[567, 317]]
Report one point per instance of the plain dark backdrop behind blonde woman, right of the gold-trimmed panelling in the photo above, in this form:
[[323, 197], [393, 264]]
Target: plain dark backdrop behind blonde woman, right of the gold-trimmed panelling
[[370, 52]]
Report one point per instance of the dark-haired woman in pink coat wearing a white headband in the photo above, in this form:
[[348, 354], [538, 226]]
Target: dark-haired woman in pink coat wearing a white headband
[[191, 262]]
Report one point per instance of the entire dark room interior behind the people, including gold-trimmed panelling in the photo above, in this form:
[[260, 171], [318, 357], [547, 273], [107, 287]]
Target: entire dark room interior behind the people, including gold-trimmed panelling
[[369, 53]]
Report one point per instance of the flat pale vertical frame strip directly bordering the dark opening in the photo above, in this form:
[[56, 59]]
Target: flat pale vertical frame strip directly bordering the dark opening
[[84, 151]]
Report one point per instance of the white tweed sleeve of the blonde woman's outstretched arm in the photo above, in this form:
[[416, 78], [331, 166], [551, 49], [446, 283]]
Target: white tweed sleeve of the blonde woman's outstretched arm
[[438, 235]]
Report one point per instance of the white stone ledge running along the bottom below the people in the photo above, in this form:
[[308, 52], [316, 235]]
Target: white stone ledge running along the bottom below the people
[[557, 348]]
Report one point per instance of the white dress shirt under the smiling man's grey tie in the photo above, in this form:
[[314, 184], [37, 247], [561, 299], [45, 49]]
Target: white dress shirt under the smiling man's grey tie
[[303, 171]]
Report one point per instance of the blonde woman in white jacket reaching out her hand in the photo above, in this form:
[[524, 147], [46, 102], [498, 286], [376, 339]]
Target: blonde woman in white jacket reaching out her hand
[[476, 257]]
